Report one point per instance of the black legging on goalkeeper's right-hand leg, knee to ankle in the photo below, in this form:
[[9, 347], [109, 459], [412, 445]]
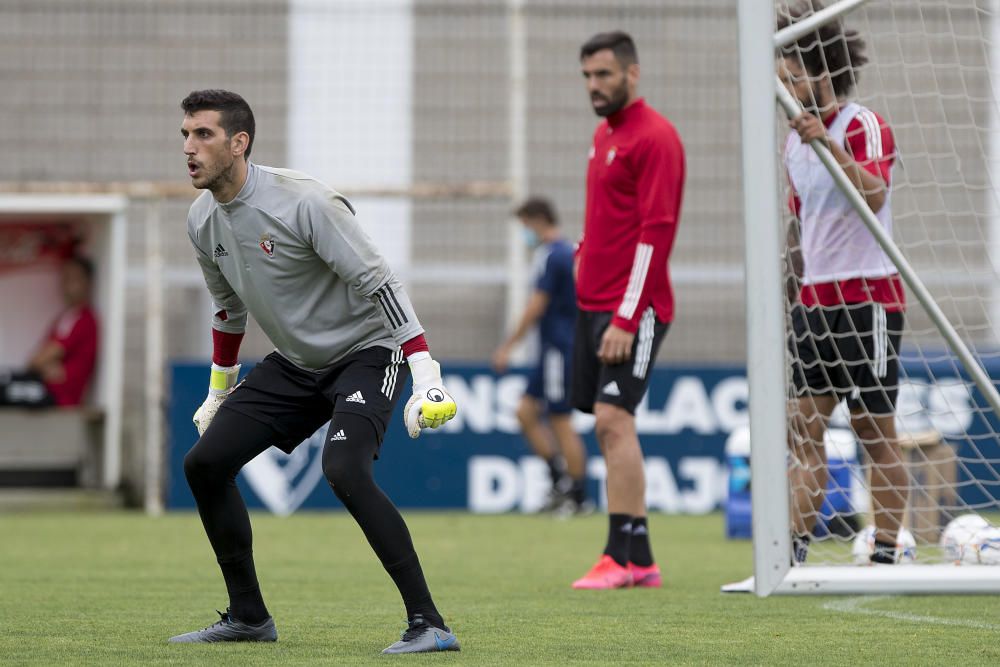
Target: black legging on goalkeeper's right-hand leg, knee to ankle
[[348, 468]]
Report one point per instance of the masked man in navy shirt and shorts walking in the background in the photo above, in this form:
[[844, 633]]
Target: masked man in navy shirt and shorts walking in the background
[[544, 412]]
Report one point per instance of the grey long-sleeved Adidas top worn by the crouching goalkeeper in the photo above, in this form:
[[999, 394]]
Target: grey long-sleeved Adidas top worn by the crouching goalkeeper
[[289, 250]]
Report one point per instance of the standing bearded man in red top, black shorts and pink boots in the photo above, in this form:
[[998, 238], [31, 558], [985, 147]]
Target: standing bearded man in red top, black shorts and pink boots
[[635, 183]]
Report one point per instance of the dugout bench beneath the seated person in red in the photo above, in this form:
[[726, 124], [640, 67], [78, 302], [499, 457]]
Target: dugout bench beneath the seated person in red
[[51, 447]]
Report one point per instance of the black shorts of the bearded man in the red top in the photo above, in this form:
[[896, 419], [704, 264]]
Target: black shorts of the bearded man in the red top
[[622, 384]]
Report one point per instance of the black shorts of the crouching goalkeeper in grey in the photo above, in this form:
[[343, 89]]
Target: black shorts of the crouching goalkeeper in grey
[[297, 402]]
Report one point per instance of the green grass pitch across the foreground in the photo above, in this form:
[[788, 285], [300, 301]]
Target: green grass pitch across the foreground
[[108, 589]]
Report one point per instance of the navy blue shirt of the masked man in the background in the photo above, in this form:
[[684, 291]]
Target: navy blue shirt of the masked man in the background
[[554, 270]]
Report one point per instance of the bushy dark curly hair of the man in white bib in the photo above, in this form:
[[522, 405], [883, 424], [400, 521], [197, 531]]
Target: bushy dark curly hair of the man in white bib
[[828, 49]]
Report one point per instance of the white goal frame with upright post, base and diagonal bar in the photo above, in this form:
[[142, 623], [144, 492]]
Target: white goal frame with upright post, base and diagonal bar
[[766, 316]]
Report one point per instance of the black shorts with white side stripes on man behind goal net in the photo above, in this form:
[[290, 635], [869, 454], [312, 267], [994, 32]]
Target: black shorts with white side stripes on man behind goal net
[[851, 351]]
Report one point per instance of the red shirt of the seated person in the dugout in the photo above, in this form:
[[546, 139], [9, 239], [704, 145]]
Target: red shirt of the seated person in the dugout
[[76, 332]]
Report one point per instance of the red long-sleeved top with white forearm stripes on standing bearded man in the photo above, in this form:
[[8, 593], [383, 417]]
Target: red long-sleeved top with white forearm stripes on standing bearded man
[[635, 182]]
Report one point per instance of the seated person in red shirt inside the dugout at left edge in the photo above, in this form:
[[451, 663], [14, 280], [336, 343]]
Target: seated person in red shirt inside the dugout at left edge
[[60, 370]]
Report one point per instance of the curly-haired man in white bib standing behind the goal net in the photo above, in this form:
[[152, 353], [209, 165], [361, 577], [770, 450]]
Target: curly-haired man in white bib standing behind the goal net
[[848, 321]]
